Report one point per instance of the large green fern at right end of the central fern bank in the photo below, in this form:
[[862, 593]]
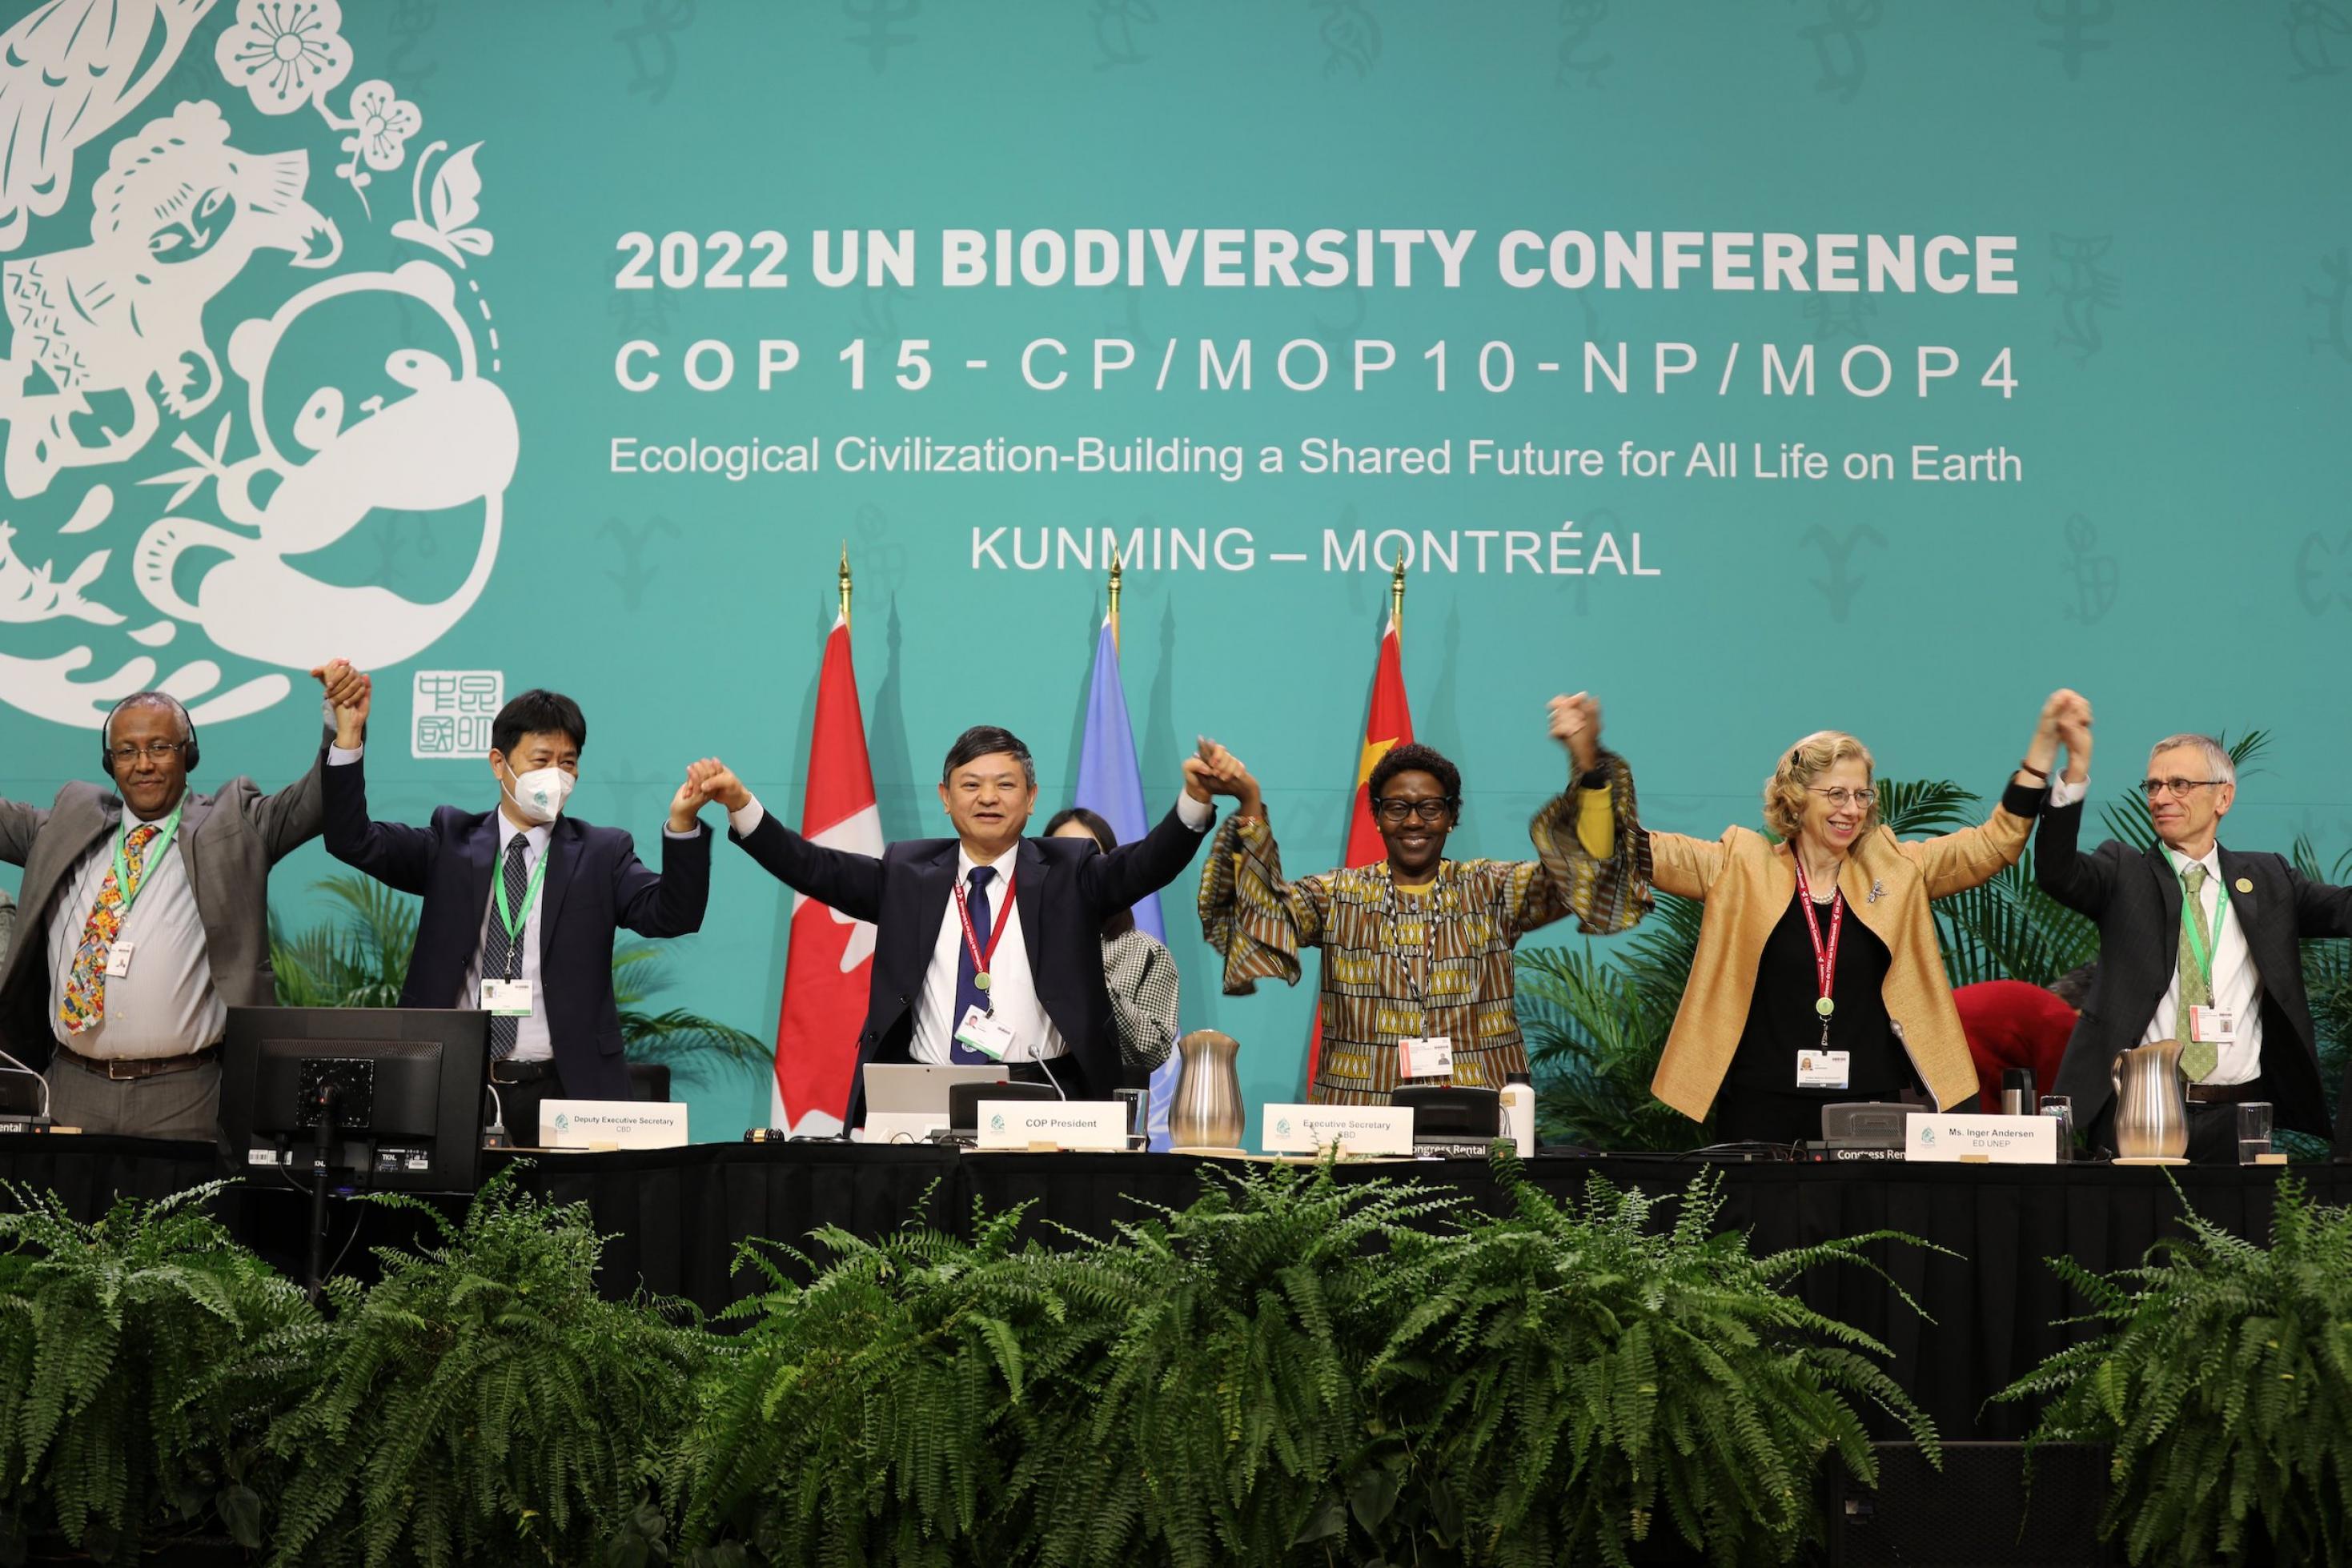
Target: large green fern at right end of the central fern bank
[[1579, 1376]]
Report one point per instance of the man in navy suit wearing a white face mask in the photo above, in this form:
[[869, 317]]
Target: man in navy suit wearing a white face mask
[[523, 902]]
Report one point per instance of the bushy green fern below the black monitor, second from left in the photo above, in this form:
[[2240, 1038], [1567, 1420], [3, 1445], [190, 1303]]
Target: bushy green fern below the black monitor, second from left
[[483, 1405]]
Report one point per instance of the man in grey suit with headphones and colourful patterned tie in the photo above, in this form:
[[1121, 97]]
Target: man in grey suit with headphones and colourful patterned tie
[[145, 918]]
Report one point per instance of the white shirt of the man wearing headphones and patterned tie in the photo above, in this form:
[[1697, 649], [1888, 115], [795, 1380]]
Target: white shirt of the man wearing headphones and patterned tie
[[166, 1005]]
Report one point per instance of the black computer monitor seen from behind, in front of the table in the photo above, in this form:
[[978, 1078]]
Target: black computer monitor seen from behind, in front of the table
[[408, 1094]]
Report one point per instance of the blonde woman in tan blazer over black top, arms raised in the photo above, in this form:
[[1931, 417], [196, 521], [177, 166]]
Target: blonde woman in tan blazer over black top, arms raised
[[1819, 977]]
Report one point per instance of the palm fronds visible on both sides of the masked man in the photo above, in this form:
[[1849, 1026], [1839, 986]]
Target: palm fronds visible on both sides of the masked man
[[363, 960]]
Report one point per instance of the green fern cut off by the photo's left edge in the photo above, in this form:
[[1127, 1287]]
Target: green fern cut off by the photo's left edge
[[109, 1334]]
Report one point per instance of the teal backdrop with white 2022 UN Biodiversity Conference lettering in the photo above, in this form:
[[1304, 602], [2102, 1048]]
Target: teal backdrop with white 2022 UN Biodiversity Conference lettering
[[2172, 537]]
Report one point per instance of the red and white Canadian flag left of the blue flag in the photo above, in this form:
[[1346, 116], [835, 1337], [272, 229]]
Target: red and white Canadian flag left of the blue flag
[[824, 972]]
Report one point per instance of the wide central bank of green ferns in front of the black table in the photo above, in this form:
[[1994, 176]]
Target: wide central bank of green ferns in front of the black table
[[1290, 1372]]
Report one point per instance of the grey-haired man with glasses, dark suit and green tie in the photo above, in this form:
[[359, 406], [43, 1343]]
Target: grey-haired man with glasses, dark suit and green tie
[[2196, 944]]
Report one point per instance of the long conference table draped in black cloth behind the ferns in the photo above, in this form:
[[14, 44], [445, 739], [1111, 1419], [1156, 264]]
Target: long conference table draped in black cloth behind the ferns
[[676, 1221]]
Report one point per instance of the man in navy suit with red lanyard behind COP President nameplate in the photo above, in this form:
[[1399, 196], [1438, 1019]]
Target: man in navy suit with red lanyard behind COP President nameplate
[[989, 946]]
